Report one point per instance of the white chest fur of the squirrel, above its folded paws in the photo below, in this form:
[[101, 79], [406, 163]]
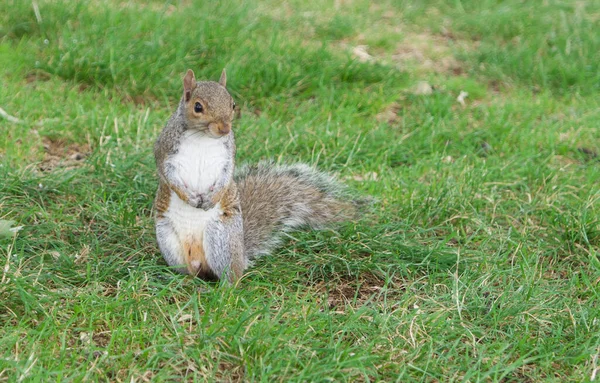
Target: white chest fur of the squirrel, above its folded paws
[[199, 161]]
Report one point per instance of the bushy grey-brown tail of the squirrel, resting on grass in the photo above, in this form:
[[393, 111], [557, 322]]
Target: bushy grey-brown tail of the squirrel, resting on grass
[[280, 198]]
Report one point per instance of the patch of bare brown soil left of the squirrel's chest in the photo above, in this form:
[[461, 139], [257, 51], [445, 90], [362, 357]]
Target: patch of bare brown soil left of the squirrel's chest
[[59, 152]]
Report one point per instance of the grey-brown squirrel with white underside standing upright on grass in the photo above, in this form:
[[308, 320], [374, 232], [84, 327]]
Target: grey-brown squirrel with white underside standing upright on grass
[[212, 221]]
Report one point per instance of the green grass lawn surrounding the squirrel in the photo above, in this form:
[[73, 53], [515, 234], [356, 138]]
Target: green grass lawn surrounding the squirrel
[[479, 261]]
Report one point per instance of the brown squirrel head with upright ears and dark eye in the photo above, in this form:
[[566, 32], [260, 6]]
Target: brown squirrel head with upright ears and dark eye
[[208, 106]]
